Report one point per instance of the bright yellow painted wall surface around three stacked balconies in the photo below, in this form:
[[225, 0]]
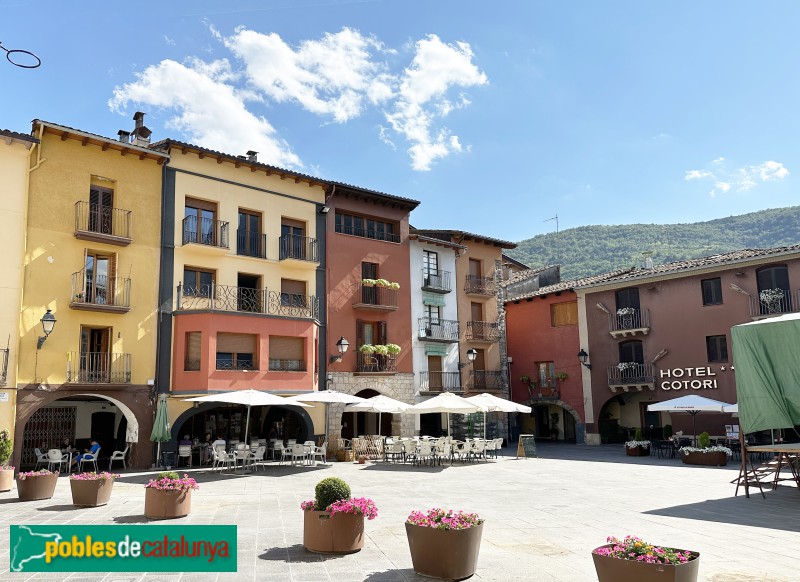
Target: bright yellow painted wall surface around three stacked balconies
[[65, 171]]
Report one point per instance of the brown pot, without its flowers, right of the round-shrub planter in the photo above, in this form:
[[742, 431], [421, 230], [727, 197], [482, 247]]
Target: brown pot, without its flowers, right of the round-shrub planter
[[443, 554]]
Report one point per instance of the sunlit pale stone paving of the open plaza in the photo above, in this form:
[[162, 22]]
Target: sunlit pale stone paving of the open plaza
[[543, 517]]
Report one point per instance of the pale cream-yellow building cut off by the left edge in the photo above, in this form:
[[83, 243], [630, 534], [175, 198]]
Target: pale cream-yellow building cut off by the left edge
[[15, 151]]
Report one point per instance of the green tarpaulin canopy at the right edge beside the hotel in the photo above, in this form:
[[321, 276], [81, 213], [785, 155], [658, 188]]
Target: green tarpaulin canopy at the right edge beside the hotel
[[766, 354]]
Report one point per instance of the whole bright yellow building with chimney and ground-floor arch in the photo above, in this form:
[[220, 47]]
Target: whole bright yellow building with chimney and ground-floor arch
[[91, 260]]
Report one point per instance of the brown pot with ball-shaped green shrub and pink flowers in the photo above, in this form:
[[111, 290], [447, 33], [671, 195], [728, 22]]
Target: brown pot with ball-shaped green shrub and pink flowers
[[333, 522]]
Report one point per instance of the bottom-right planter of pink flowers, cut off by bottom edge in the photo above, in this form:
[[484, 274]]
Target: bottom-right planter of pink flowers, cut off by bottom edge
[[633, 560]]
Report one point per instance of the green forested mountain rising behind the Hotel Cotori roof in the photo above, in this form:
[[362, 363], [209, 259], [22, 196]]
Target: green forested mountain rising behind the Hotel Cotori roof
[[589, 250]]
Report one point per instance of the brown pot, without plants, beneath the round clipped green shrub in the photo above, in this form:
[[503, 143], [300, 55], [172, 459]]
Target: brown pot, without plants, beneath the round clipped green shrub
[[323, 533]]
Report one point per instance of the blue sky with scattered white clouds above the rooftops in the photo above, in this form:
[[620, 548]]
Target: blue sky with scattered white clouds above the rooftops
[[495, 115]]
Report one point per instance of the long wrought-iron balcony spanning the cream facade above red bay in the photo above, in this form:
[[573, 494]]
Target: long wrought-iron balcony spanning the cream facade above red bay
[[215, 297]]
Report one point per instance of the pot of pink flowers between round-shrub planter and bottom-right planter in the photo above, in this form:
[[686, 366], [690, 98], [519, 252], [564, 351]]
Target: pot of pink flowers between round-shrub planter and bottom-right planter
[[444, 544]]
